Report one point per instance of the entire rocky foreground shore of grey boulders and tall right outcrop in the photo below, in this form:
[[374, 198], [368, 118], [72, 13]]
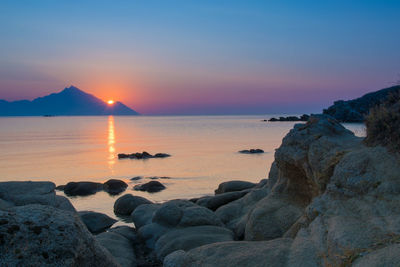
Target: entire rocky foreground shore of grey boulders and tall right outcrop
[[329, 200]]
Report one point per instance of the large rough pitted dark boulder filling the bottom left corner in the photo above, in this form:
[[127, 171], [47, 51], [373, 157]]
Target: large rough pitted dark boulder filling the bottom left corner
[[38, 235]]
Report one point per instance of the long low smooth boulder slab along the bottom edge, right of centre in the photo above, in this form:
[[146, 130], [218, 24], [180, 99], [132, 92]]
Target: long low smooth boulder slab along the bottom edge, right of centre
[[272, 253]]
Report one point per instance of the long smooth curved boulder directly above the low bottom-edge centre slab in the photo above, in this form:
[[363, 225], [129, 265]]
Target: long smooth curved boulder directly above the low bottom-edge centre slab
[[189, 238]]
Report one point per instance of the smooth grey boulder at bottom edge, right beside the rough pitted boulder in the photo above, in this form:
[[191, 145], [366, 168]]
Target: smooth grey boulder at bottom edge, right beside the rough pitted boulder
[[119, 246]]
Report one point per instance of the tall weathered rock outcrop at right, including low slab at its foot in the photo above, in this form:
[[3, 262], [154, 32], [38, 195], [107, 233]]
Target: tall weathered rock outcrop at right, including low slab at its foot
[[329, 201]]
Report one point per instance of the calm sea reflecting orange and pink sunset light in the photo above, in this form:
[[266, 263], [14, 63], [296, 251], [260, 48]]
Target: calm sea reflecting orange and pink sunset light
[[203, 148]]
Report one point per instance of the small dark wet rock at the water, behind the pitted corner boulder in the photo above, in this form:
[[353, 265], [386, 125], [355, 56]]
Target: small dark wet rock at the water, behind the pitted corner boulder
[[96, 222]]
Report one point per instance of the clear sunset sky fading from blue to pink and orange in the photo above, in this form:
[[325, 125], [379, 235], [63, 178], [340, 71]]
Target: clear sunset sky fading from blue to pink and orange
[[188, 57]]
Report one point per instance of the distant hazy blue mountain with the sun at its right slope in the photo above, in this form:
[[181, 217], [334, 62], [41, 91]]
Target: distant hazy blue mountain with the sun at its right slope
[[70, 102]]
